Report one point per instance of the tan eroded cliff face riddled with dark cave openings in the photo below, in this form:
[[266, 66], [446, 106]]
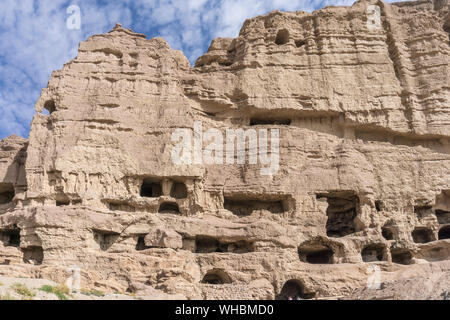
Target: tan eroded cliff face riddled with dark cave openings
[[362, 182]]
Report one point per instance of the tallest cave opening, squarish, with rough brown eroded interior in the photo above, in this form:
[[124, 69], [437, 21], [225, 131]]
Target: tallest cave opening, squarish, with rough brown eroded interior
[[343, 207]]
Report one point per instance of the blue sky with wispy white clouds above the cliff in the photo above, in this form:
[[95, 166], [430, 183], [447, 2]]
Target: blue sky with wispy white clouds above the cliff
[[35, 40]]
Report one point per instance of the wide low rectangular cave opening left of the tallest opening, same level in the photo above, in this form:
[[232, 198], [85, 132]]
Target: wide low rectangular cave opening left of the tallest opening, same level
[[245, 207]]
